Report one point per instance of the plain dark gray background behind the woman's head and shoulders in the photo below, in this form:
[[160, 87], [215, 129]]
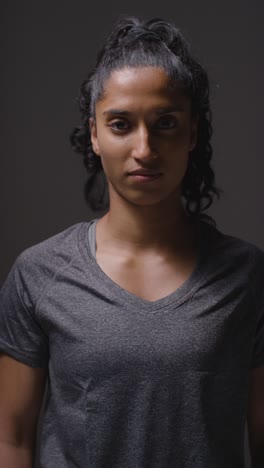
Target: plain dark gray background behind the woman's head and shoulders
[[47, 50]]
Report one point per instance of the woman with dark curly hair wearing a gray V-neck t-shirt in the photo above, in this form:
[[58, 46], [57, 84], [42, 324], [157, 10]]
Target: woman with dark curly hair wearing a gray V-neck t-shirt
[[147, 323]]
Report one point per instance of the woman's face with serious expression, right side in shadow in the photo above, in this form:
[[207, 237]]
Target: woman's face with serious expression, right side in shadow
[[142, 124]]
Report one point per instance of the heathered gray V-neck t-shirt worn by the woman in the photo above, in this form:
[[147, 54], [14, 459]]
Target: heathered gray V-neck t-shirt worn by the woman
[[134, 383]]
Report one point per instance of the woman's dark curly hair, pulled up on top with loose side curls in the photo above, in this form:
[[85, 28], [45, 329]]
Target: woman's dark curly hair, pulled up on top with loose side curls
[[136, 43]]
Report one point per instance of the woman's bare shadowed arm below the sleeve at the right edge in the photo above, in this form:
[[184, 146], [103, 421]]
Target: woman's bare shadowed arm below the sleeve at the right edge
[[256, 417]]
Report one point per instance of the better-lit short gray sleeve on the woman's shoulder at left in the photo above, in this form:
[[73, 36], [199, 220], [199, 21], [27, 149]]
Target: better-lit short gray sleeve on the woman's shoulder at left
[[21, 335]]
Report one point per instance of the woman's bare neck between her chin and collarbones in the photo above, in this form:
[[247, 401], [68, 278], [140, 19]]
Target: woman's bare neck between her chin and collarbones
[[145, 229]]
